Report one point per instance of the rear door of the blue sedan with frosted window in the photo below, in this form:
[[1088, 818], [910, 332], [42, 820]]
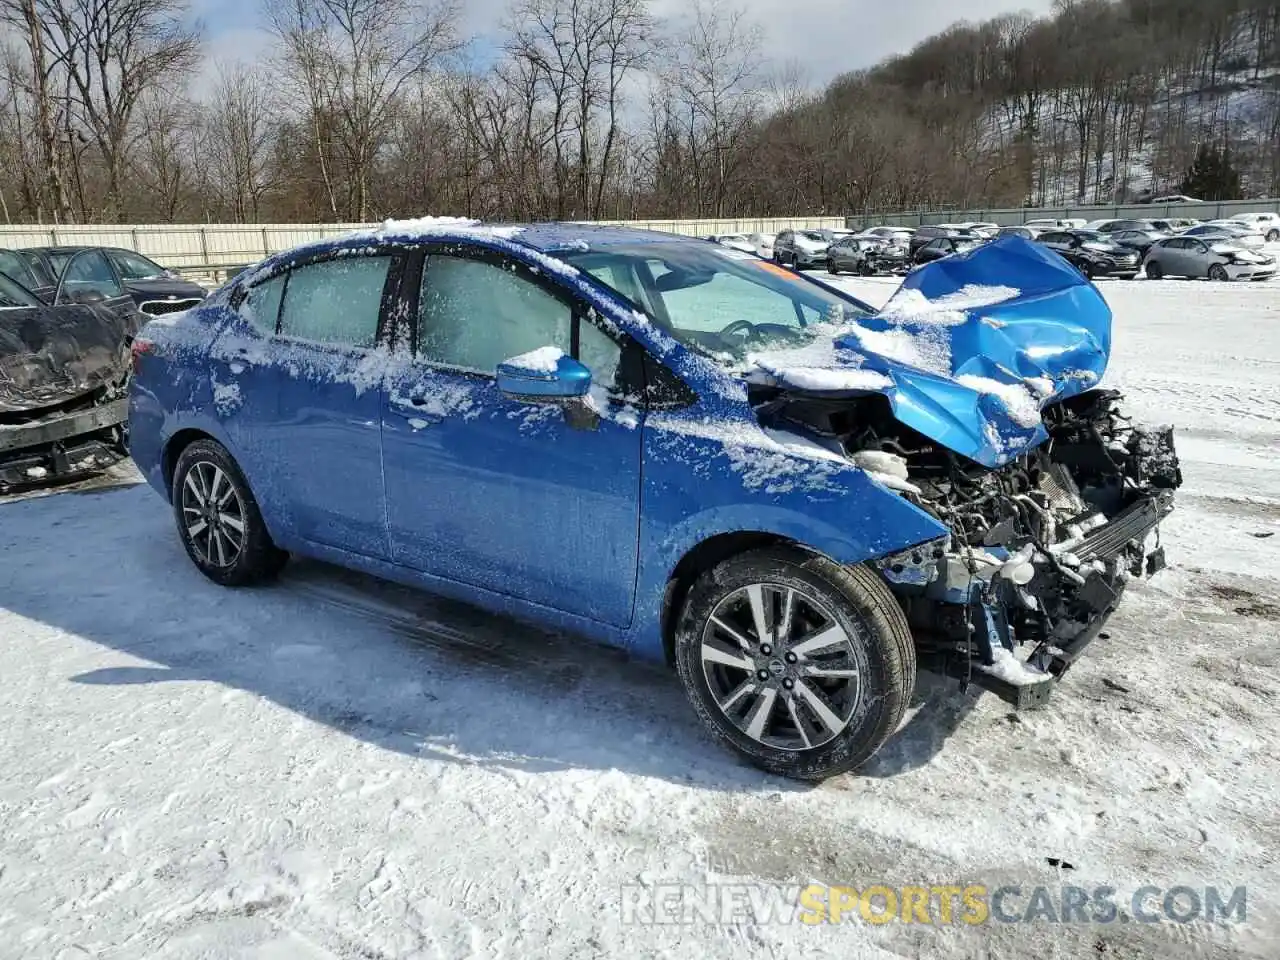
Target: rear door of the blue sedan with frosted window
[[319, 447]]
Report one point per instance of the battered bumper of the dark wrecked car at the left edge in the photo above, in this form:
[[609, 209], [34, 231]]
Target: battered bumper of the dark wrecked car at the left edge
[[63, 447]]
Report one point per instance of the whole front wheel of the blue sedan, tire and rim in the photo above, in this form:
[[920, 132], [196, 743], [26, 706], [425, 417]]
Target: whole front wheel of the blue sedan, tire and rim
[[799, 665]]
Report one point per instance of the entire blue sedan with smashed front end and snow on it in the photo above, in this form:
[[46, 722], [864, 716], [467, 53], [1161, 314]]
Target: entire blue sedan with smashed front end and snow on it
[[676, 449]]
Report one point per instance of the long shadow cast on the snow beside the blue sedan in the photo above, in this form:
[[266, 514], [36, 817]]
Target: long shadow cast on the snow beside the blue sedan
[[383, 664]]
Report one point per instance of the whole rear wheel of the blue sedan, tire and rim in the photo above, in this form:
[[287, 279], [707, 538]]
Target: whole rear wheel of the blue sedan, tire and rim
[[218, 519]]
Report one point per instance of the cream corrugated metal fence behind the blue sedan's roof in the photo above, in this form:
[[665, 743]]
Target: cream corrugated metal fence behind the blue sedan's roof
[[218, 248]]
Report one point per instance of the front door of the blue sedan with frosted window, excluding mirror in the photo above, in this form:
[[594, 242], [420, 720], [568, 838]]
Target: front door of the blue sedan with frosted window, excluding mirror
[[534, 501]]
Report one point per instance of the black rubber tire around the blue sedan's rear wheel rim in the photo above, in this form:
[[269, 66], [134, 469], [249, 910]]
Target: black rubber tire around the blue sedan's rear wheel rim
[[258, 560]]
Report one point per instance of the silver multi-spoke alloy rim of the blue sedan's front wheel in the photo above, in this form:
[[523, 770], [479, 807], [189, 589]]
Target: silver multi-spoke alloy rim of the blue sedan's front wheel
[[781, 668]]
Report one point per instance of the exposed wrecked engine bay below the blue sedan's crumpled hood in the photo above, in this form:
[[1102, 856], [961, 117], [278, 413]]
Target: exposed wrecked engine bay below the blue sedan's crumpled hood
[[1040, 550]]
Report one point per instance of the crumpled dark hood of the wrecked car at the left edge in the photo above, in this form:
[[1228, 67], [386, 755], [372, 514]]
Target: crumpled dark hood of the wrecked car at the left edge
[[51, 355]]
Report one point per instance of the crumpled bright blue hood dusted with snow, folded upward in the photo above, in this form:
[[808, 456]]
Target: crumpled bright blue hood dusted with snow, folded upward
[[968, 351]]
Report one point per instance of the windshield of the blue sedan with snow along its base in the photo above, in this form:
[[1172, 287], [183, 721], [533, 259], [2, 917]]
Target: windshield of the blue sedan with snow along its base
[[715, 301]]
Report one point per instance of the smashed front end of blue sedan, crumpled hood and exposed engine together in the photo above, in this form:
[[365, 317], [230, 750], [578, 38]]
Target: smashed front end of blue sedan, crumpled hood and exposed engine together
[[1053, 497]]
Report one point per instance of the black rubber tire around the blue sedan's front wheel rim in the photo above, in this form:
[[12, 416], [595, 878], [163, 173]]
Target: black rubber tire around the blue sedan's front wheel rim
[[866, 611]]
